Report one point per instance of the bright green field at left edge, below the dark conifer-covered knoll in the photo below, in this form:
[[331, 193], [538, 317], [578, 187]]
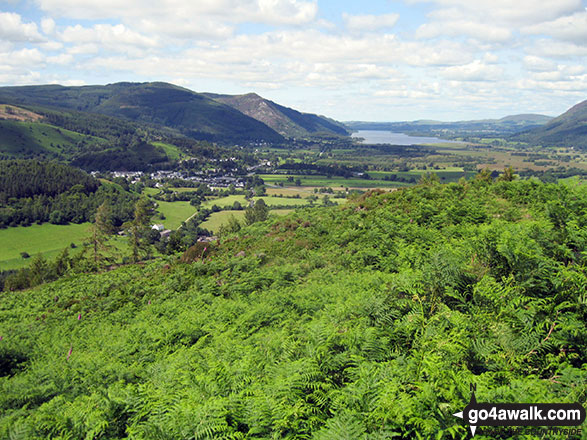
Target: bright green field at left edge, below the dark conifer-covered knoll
[[46, 239]]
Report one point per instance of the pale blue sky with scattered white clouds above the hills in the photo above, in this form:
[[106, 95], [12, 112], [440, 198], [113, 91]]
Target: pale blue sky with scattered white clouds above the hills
[[380, 60]]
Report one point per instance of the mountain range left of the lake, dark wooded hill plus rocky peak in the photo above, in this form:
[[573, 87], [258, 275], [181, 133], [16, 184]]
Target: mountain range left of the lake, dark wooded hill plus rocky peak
[[197, 115]]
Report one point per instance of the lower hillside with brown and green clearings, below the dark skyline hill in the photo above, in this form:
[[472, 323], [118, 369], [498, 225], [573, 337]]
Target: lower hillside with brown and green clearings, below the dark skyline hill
[[96, 142]]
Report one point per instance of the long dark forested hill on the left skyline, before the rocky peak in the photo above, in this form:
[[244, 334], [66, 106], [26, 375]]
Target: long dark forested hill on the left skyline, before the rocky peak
[[161, 104]]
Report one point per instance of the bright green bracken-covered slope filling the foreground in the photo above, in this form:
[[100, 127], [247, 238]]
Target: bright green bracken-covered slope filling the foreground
[[365, 321]]
